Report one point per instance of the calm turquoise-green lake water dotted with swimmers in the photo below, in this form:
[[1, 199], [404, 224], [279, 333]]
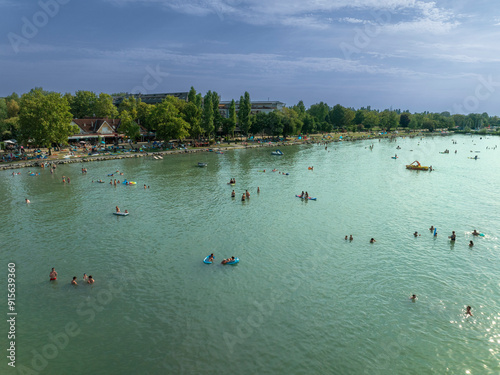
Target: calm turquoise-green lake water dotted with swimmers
[[302, 300]]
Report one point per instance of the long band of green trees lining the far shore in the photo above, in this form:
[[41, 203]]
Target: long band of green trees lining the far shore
[[44, 118]]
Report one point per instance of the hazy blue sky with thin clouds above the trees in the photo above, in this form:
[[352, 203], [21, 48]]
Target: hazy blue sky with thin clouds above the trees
[[408, 54]]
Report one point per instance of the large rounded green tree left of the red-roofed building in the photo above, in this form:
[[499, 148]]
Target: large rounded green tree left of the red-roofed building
[[45, 119]]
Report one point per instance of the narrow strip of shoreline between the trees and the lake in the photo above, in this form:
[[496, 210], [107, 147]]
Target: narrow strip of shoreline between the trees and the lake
[[37, 163]]
